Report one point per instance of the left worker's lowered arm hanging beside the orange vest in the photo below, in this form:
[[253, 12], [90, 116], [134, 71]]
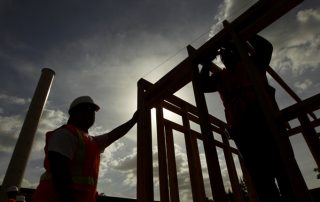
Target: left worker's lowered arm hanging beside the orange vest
[[61, 176]]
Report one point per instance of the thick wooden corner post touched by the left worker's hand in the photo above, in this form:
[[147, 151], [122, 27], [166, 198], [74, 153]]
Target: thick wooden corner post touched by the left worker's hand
[[144, 150]]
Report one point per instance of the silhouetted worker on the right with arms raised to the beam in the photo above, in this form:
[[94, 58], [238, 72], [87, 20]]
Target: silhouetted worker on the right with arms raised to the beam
[[247, 124]]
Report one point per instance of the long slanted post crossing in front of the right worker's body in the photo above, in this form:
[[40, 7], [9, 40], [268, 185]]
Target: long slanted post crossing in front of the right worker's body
[[289, 164]]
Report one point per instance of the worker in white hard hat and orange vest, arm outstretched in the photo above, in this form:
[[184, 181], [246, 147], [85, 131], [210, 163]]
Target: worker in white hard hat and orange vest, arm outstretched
[[72, 155]]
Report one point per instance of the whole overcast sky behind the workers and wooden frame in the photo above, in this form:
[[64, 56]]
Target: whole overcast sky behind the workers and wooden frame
[[102, 48]]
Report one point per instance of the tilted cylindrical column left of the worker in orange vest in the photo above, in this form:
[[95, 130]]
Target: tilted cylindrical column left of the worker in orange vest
[[19, 159]]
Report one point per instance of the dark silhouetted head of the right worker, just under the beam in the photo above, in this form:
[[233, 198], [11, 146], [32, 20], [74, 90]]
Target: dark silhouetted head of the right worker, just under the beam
[[229, 55]]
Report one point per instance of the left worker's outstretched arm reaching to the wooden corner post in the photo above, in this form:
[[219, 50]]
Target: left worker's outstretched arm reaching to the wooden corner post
[[108, 138]]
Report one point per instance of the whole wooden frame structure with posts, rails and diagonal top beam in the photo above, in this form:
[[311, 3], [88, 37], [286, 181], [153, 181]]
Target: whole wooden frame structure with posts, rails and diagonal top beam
[[160, 95]]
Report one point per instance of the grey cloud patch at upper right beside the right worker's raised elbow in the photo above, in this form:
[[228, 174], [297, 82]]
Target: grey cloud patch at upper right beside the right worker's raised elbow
[[296, 50]]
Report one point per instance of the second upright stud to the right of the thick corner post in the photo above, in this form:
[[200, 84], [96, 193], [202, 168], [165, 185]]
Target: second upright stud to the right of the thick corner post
[[173, 179]]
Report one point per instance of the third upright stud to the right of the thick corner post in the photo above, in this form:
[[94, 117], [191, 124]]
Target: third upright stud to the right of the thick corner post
[[195, 172]]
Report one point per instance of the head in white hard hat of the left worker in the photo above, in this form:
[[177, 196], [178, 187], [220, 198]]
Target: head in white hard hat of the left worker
[[82, 112]]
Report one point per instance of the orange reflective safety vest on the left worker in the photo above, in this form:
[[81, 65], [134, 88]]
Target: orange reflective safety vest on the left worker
[[84, 169]]
